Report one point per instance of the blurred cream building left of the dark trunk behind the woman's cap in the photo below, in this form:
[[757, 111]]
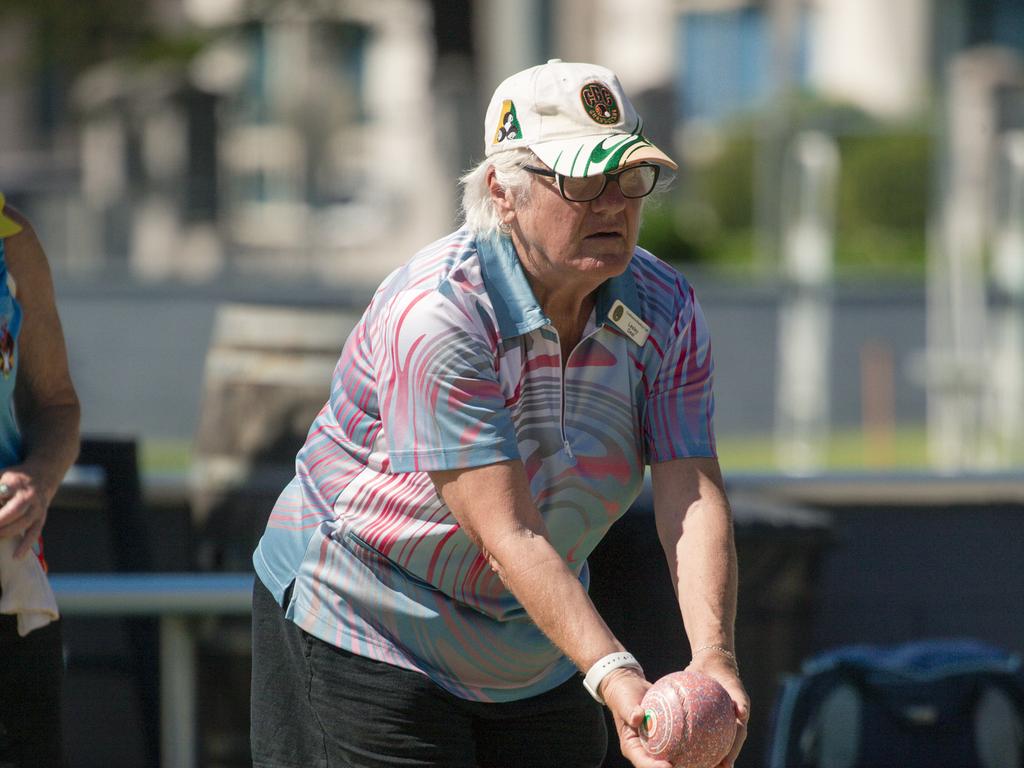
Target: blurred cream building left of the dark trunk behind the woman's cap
[[287, 145]]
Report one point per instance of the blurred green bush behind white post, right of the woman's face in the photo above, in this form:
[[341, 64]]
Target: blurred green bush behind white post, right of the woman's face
[[882, 207]]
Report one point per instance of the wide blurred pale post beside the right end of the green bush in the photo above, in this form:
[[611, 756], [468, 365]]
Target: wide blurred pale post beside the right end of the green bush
[[959, 377]]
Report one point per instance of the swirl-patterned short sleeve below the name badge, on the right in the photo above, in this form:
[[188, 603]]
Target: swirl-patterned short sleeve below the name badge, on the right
[[680, 408]]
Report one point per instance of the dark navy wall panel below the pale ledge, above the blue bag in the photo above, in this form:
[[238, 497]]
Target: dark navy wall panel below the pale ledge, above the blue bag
[[902, 574]]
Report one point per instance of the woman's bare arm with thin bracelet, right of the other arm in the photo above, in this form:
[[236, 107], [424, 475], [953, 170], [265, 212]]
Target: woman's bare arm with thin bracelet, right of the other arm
[[695, 526]]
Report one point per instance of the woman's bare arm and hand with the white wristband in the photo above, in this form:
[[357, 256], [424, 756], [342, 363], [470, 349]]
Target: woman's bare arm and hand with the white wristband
[[494, 506]]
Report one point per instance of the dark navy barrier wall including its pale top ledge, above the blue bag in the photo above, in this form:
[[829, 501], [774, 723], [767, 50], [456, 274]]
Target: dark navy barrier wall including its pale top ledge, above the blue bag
[[915, 557]]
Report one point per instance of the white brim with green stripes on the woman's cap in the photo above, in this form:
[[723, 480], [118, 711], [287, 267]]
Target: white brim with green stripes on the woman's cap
[[596, 155]]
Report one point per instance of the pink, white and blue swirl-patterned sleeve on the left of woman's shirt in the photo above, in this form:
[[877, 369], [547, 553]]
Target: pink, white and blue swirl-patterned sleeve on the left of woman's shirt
[[442, 406]]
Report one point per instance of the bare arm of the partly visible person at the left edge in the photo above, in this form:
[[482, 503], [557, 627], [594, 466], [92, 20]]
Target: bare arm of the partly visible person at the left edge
[[46, 402]]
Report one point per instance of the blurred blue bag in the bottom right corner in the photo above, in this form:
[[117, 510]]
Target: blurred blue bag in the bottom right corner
[[936, 704]]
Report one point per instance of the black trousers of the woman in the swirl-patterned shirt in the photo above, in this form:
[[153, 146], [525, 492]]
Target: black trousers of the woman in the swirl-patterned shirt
[[317, 706]]
